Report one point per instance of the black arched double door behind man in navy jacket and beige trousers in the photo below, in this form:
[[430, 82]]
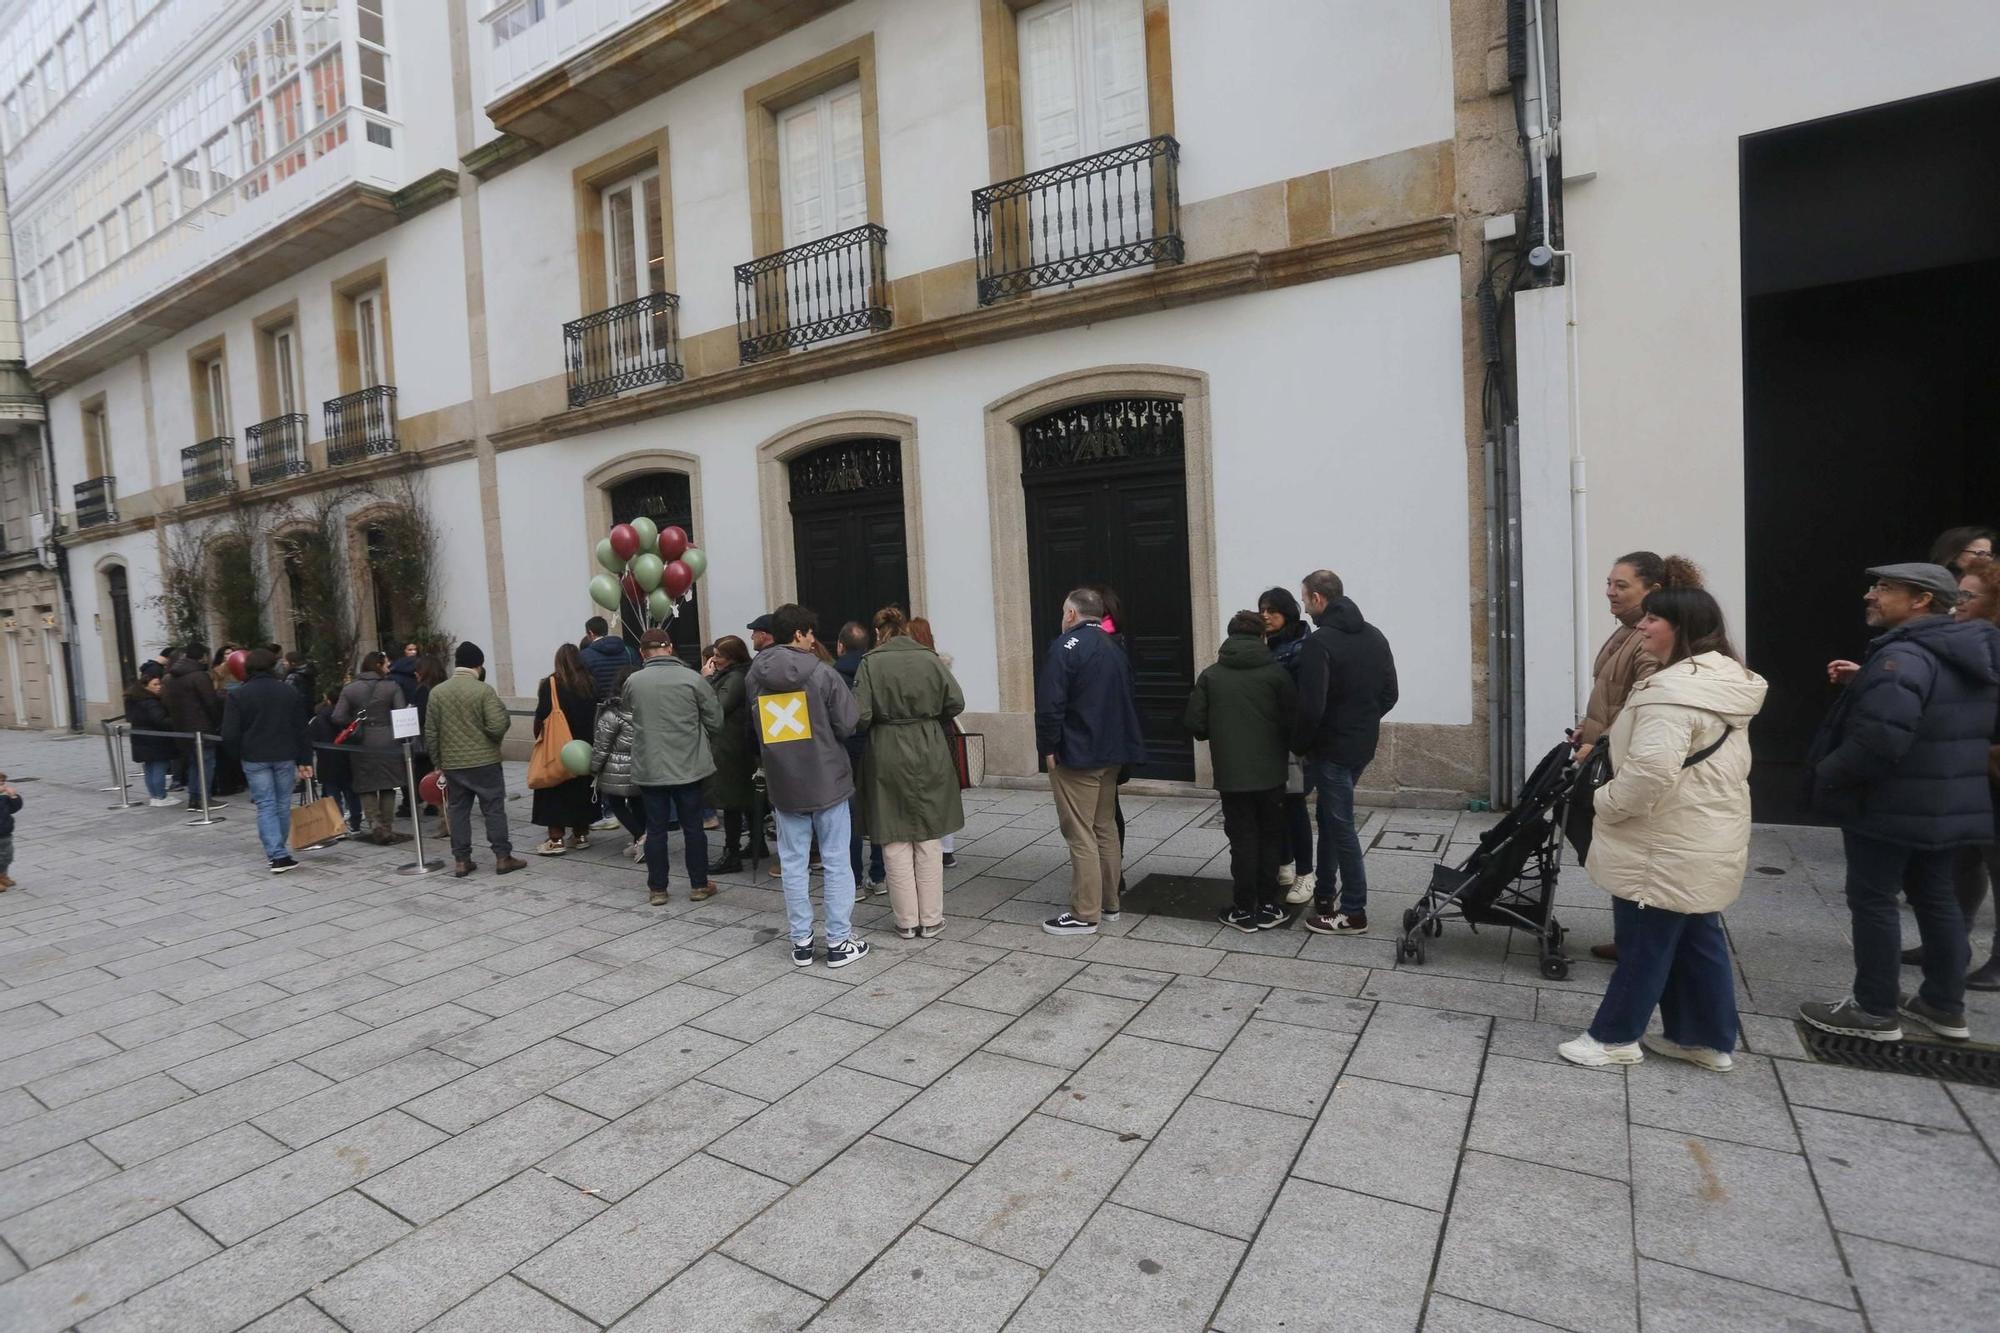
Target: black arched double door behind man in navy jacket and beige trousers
[[1107, 499]]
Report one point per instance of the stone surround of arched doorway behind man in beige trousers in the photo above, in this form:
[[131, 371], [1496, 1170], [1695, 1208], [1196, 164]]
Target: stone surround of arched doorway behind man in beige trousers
[[1011, 736]]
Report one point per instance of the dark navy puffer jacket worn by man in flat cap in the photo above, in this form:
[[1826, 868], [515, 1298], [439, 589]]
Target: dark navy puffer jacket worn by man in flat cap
[[1903, 754]]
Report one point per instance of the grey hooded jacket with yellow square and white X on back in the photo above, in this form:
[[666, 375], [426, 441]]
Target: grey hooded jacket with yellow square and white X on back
[[805, 716]]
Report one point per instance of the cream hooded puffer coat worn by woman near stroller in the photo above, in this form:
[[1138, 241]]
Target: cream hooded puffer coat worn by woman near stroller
[[1667, 836]]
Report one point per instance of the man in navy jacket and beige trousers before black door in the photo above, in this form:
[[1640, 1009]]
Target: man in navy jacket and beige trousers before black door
[[1087, 728]]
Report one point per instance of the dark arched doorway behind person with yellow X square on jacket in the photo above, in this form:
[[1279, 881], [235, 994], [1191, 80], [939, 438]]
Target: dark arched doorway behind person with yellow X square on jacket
[[849, 535]]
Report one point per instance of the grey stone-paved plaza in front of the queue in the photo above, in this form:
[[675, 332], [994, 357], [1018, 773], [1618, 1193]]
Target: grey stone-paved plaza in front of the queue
[[353, 1100]]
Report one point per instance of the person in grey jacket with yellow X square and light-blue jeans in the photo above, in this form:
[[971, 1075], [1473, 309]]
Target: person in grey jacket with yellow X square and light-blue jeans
[[805, 714]]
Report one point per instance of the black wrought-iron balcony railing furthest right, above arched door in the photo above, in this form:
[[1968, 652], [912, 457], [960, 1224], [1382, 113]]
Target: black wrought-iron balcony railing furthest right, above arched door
[[1097, 215]]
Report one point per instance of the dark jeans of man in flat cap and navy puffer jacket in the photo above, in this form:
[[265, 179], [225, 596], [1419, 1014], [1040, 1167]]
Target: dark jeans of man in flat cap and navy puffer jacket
[[1879, 874]]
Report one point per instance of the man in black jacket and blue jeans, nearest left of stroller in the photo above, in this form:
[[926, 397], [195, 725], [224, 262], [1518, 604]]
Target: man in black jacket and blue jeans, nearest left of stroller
[[1347, 684]]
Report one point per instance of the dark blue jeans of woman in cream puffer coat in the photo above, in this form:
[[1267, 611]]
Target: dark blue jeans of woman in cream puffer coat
[[1679, 964]]
